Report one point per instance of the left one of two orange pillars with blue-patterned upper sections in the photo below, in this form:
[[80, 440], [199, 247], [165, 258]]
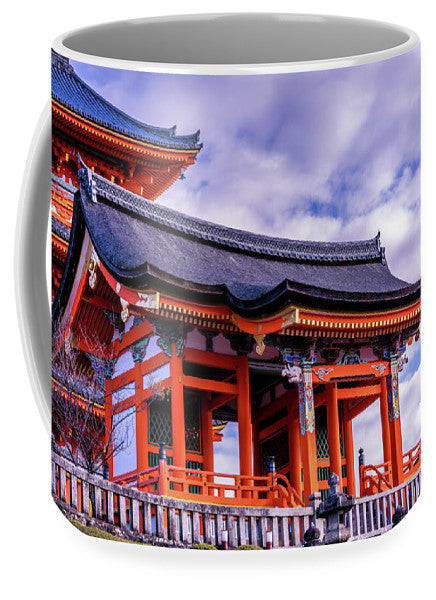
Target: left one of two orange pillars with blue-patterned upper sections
[[307, 432]]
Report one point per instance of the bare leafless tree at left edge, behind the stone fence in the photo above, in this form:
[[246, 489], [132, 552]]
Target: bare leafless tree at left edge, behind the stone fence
[[91, 429]]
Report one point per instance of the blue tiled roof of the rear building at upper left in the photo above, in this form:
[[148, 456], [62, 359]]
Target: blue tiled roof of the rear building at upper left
[[73, 93]]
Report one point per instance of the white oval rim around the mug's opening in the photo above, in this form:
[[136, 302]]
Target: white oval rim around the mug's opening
[[412, 41]]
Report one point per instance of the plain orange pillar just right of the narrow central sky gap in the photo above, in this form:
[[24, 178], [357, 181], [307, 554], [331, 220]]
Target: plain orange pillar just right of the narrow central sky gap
[[244, 418]]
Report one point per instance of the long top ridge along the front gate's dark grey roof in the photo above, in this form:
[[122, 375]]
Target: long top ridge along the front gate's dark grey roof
[[302, 250]]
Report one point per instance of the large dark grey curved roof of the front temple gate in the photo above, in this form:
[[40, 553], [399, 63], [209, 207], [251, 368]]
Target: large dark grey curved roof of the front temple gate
[[146, 245]]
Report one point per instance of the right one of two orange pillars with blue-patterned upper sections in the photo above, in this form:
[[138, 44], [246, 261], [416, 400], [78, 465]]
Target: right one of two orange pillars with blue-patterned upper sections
[[395, 422]]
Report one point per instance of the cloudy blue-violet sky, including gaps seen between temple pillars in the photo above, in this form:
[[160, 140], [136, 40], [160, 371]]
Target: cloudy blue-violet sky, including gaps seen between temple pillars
[[329, 155]]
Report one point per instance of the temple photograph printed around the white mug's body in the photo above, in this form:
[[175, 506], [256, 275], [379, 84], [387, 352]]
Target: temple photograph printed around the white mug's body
[[236, 300]]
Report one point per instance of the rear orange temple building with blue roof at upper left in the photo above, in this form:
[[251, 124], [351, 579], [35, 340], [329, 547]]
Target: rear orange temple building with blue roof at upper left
[[140, 157]]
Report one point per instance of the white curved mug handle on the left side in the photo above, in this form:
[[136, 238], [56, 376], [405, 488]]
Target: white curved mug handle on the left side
[[31, 291]]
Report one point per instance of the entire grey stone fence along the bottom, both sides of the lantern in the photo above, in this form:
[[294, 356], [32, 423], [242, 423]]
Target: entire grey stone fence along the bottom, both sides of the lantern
[[160, 520]]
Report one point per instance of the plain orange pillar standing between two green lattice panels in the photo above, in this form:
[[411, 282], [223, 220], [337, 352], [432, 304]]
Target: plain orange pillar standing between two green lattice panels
[[177, 408]]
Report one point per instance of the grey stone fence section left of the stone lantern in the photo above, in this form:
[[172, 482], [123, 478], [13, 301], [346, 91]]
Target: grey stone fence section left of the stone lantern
[[155, 519]]
